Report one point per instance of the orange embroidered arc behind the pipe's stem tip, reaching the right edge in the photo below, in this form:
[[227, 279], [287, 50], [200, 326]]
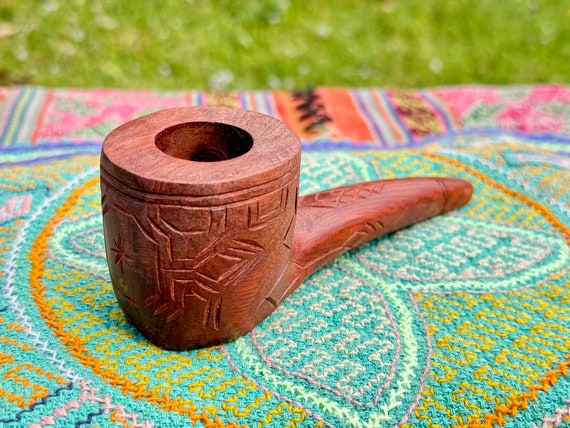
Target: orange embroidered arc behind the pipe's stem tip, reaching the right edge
[[551, 218]]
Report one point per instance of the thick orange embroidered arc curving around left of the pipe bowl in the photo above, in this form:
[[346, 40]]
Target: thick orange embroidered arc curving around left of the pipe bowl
[[74, 344]]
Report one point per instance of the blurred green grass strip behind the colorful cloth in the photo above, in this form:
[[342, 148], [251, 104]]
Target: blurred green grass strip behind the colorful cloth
[[283, 44]]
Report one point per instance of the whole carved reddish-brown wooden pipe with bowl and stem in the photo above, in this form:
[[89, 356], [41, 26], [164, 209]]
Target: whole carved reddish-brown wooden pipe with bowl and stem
[[205, 234]]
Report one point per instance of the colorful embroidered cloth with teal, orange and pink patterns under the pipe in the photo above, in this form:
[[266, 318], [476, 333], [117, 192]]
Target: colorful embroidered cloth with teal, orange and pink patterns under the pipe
[[463, 320]]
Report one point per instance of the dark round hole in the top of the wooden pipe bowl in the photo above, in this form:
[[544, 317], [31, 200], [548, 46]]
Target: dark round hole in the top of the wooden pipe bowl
[[204, 141]]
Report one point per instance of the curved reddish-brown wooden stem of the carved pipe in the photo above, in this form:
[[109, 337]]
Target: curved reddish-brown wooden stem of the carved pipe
[[333, 221]]
